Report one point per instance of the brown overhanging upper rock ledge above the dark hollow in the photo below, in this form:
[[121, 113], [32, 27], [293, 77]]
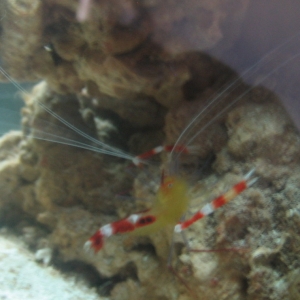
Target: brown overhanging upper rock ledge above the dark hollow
[[119, 50]]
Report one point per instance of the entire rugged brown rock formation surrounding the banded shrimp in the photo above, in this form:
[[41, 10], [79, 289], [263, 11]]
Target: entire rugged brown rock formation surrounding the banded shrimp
[[133, 76]]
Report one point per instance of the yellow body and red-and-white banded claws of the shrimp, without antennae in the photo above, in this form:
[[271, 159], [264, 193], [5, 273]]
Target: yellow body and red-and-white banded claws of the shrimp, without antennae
[[170, 205]]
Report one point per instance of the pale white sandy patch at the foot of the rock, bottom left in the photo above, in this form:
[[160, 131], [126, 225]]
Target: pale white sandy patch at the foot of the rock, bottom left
[[22, 278]]
